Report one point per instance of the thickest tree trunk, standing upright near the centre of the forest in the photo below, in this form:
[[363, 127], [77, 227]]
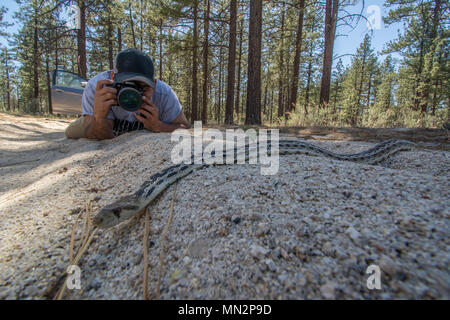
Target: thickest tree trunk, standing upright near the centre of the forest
[[253, 104]]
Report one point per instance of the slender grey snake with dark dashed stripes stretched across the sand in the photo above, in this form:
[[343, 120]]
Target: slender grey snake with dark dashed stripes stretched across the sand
[[132, 205]]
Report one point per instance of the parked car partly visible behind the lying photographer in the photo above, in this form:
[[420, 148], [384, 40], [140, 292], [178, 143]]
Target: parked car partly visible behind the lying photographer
[[67, 90]]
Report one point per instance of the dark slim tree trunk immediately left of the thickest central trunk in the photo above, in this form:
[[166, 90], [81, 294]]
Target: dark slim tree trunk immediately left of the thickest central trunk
[[231, 63]]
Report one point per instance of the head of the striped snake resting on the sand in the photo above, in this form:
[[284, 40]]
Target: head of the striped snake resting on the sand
[[116, 212]]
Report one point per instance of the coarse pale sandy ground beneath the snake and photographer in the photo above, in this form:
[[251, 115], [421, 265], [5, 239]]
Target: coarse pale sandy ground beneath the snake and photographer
[[309, 232]]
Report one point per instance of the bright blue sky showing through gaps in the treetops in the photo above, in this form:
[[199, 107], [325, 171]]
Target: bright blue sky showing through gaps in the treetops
[[344, 45]]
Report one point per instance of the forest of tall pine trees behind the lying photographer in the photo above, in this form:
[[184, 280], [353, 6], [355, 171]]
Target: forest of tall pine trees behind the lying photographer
[[290, 62]]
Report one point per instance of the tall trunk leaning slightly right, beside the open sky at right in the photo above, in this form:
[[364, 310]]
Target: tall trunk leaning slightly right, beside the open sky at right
[[331, 11]]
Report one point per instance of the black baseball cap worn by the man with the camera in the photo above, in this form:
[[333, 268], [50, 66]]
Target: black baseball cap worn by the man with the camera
[[134, 65]]
